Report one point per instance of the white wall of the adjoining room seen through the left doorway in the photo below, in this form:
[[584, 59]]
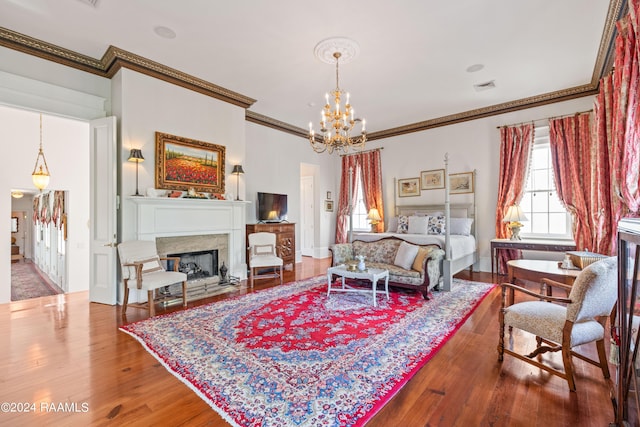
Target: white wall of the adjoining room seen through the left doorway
[[66, 147]]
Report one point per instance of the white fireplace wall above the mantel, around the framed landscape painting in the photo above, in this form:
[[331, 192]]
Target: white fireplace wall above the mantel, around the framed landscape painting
[[146, 105]]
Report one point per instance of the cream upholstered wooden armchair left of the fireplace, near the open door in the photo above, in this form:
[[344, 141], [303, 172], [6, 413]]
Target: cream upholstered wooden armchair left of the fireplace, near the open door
[[142, 269]]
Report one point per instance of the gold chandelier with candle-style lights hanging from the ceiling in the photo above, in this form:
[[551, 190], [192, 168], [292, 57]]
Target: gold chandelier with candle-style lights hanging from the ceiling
[[337, 121]]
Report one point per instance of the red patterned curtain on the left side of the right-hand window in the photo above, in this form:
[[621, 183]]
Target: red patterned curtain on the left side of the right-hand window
[[516, 143]]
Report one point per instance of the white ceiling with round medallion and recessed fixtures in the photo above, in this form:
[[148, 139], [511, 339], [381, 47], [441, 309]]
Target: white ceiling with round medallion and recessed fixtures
[[412, 61]]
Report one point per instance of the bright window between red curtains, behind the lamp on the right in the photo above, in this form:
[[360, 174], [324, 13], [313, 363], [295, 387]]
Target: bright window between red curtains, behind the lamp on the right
[[547, 216]]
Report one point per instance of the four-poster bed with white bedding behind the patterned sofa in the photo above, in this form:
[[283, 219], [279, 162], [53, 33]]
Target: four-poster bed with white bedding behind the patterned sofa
[[458, 237]]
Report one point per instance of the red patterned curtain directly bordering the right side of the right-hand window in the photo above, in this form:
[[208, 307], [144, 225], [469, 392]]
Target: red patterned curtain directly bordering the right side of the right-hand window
[[575, 160]]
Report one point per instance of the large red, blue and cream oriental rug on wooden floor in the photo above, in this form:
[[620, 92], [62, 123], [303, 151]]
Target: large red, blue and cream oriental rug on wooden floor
[[291, 356]]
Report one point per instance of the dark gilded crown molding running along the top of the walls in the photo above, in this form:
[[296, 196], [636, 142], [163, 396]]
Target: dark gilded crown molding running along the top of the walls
[[114, 59]]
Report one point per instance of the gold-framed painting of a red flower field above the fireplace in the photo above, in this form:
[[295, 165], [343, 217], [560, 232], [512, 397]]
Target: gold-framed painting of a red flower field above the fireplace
[[183, 163]]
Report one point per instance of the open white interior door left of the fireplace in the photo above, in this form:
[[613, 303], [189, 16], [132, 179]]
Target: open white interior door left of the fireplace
[[103, 284]]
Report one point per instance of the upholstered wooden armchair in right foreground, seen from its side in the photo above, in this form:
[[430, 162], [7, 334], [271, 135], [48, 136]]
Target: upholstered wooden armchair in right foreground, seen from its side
[[562, 327]]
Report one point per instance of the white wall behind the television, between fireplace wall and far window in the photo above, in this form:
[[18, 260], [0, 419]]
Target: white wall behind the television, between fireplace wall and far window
[[274, 163]]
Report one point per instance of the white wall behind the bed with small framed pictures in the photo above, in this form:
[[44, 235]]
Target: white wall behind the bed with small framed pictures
[[471, 145]]
